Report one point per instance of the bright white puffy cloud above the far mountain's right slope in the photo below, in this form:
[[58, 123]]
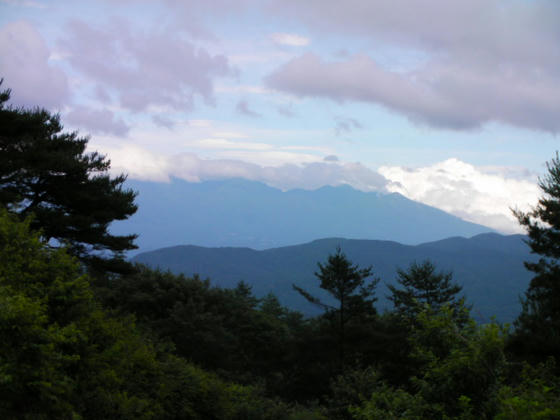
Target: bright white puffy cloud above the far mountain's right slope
[[479, 195]]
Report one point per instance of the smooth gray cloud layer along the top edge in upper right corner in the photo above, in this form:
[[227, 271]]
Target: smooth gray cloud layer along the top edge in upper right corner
[[518, 31]]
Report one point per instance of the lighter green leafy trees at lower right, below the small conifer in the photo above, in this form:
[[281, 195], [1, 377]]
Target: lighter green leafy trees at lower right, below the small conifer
[[459, 376]]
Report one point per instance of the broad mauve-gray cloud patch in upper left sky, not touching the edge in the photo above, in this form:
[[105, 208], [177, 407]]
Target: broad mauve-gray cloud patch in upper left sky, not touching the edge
[[161, 68]]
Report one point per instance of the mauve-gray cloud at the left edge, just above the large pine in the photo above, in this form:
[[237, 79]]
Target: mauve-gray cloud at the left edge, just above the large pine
[[25, 67]]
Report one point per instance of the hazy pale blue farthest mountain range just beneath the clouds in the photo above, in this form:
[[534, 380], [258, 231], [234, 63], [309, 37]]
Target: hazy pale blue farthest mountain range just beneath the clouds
[[238, 212]]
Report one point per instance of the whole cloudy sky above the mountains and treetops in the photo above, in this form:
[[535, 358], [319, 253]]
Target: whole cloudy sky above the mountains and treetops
[[455, 104]]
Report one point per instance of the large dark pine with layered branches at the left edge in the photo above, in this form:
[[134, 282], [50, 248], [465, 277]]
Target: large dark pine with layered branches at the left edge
[[48, 173]]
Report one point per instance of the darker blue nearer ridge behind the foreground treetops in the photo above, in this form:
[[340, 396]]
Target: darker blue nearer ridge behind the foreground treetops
[[488, 266]]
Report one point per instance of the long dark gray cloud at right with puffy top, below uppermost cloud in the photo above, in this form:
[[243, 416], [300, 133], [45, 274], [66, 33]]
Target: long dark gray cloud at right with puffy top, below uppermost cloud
[[442, 94]]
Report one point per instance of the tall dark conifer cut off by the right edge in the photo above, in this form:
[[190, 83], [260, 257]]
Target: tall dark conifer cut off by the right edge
[[537, 333]]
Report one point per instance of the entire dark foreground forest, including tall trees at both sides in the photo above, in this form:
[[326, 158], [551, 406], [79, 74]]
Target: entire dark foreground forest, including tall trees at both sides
[[85, 334]]
